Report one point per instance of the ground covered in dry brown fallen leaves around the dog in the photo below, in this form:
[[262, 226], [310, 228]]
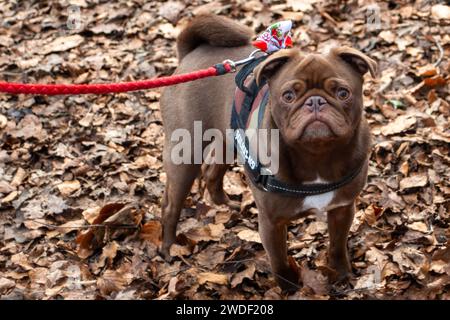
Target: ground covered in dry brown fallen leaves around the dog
[[74, 161]]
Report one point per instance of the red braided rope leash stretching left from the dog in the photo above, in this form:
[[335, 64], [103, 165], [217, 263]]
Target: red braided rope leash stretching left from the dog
[[102, 88]]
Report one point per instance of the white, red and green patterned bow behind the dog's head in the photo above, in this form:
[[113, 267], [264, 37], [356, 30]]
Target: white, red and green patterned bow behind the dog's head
[[276, 37]]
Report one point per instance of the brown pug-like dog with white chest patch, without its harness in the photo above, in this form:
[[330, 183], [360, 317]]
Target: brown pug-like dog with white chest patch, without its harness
[[316, 103]]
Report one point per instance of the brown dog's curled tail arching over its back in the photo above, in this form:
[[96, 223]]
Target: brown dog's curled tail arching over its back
[[213, 30]]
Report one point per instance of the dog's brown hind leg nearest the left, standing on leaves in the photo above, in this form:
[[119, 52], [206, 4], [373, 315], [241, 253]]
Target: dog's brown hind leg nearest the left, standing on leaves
[[179, 182]]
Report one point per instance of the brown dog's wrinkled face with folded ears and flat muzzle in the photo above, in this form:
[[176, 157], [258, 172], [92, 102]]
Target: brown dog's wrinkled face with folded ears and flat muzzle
[[316, 100]]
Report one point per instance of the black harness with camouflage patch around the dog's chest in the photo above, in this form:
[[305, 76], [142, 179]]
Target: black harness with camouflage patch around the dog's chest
[[248, 93]]
